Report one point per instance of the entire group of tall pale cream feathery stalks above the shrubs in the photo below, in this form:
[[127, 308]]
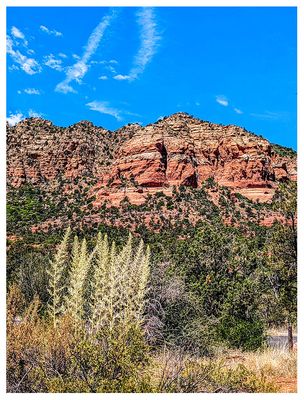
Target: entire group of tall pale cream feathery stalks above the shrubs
[[117, 287]]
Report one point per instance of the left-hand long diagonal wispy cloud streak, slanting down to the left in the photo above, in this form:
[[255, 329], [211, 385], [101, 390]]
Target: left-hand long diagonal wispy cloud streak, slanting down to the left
[[77, 71]]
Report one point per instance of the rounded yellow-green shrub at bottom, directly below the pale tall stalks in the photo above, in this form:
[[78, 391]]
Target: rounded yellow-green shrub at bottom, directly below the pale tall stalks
[[113, 361]]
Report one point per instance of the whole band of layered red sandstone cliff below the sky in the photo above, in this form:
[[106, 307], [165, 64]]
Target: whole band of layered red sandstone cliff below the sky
[[134, 161]]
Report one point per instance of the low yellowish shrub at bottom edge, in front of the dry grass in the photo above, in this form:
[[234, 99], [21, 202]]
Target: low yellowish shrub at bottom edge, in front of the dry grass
[[176, 372]]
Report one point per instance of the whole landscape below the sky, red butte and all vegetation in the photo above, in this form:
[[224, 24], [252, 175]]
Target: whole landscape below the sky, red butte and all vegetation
[[149, 259]]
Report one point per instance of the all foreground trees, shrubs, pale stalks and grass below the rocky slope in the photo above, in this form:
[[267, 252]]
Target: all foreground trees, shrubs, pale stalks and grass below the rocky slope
[[108, 313]]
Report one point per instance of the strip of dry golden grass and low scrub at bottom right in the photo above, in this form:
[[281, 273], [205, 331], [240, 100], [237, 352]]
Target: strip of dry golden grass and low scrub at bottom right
[[267, 370]]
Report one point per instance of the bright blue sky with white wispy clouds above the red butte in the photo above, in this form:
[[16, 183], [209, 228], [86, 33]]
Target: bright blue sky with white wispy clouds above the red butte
[[113, 66]]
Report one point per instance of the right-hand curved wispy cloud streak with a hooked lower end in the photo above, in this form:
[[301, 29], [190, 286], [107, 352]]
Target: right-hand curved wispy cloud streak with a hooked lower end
[[149, 40]]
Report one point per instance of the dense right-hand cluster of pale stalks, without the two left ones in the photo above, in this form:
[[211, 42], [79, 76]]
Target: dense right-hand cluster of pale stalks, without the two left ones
[[120, 282]]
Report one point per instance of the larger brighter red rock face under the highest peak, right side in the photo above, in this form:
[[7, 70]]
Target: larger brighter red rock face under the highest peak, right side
[[181, 150]]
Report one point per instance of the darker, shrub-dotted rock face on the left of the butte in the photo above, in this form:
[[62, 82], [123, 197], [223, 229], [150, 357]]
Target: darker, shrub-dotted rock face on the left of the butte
[[38, 151]]
